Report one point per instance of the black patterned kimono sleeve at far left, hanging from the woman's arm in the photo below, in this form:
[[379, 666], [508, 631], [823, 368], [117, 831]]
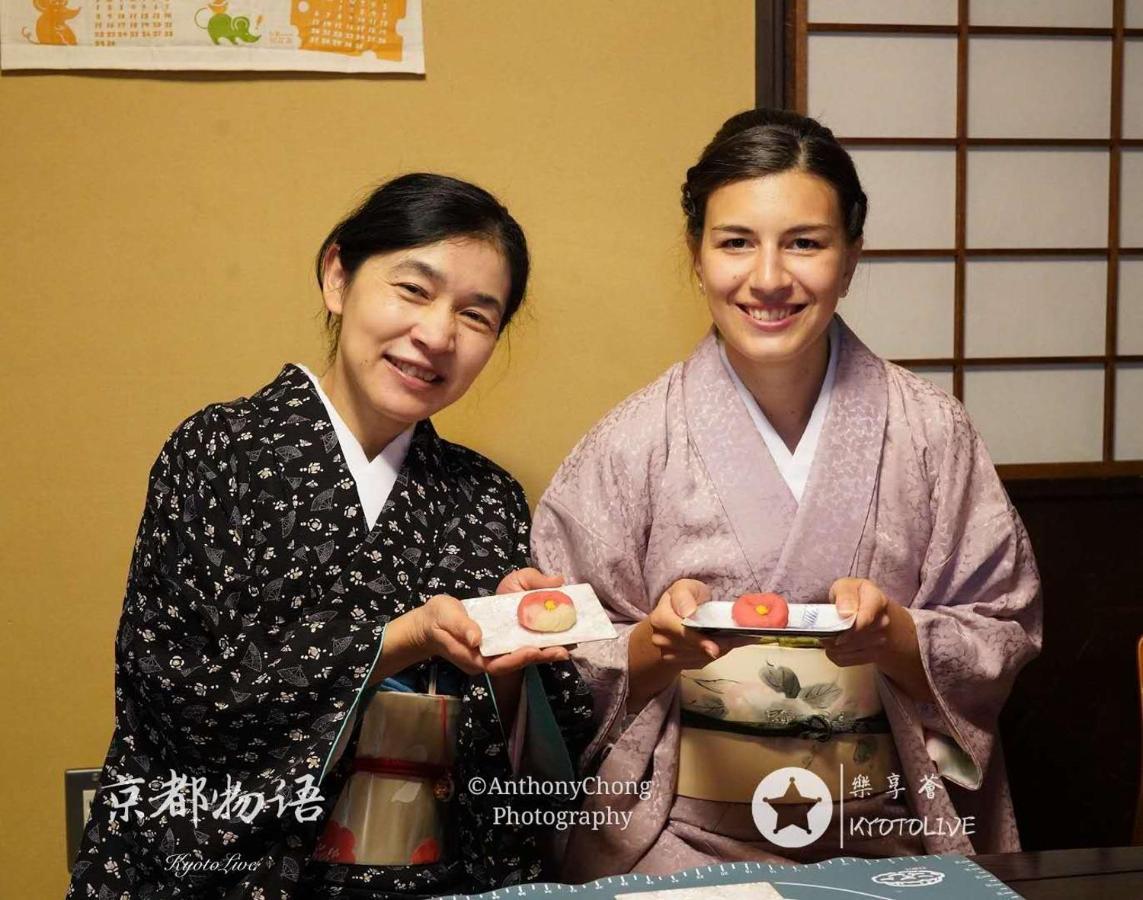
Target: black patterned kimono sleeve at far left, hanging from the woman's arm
[[203, 667]]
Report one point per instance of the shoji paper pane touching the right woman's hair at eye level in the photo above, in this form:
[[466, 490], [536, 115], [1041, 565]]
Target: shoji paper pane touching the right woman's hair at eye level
[[912, 197]]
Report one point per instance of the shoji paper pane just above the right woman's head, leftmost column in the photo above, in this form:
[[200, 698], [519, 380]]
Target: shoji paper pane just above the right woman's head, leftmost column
[[900, 86]]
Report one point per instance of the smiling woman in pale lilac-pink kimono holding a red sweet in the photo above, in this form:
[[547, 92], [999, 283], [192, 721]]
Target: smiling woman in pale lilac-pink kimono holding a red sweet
[[785, 457]]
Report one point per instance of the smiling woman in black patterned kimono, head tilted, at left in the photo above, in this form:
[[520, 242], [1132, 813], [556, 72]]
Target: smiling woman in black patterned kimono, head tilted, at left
[[305, 547]]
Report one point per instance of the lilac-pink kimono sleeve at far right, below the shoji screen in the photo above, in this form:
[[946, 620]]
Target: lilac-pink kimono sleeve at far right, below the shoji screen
[[978, 611]]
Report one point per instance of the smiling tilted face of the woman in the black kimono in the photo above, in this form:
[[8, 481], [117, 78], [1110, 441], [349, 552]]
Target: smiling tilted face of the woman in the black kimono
[[417, 329]]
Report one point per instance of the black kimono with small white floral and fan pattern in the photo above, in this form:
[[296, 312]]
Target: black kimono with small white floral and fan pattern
[[253, 619]]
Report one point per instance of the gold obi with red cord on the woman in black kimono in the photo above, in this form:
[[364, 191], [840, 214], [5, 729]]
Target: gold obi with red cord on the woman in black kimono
[[391, 810]]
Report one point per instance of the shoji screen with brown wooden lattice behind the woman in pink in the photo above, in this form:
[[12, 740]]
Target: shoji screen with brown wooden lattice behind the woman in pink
[[1002, 146]]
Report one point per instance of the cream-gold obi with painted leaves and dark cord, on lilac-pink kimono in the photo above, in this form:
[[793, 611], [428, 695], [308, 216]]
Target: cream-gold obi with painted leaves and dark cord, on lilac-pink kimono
[[770, 706]]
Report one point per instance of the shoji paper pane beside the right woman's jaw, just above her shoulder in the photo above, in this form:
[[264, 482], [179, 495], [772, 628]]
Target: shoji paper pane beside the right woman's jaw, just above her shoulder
[[902, 310]]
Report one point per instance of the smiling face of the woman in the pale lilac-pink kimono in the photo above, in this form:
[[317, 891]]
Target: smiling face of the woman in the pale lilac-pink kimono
[[774, 261]]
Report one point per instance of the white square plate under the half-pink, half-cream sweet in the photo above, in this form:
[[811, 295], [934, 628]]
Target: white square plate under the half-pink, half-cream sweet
[[502, 633]]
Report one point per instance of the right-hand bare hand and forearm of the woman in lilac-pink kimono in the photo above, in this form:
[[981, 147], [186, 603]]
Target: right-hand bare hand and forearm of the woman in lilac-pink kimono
[[884, 634]]
